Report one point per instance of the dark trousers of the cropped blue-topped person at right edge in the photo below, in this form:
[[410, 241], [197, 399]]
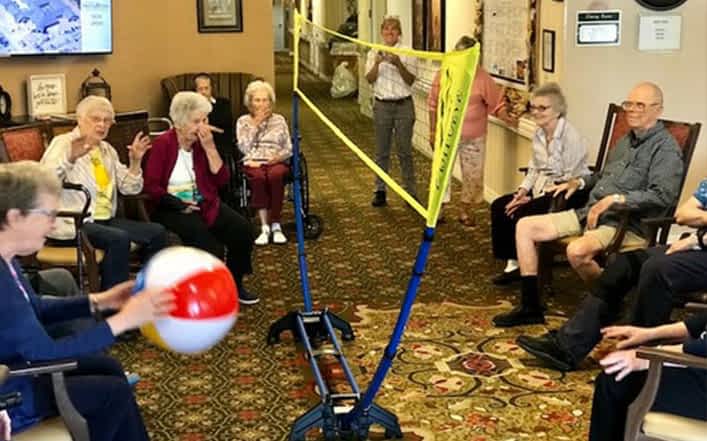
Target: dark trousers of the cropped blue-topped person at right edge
[[657, 278]]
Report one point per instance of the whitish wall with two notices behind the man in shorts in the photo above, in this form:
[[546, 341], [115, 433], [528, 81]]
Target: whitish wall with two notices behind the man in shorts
[[595, 76]]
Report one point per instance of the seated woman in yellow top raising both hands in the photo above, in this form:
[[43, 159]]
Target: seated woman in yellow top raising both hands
[[83, 157]]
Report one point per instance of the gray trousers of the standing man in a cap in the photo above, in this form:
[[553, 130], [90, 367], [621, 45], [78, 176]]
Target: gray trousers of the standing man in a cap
[[395, 117]]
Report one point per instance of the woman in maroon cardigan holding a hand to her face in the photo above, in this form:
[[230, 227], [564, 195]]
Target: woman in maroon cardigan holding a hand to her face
[[183, 174]]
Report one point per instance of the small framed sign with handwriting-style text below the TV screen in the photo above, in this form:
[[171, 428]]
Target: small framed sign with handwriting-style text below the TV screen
[[46, 95]]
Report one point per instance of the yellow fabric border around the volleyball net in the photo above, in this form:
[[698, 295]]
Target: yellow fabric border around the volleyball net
[[456, 76]]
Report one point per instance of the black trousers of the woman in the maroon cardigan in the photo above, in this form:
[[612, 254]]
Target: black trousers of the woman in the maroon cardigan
[[230, 230]]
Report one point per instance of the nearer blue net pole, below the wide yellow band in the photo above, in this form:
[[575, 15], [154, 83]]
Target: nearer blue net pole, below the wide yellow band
[[405, 310]]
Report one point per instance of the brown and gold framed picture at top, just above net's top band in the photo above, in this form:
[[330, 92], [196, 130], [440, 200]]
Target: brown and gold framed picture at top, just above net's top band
[[428, 25]]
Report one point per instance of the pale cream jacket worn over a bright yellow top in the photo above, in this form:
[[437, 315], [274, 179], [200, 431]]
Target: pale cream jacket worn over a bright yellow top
[[81, 172]]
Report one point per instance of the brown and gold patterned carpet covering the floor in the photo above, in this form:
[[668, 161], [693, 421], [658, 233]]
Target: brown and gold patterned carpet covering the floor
[[455, 376]]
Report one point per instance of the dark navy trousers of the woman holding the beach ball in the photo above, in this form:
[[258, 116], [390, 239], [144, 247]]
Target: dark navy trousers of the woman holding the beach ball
[[101, 394]]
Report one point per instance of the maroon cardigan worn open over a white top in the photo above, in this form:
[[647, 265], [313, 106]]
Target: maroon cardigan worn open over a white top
[[159, 166]]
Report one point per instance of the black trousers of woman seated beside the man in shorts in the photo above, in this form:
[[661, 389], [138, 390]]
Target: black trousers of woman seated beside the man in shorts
[[503, 227]]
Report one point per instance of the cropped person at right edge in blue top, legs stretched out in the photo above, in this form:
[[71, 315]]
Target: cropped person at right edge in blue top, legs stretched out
[[659, 274]]
